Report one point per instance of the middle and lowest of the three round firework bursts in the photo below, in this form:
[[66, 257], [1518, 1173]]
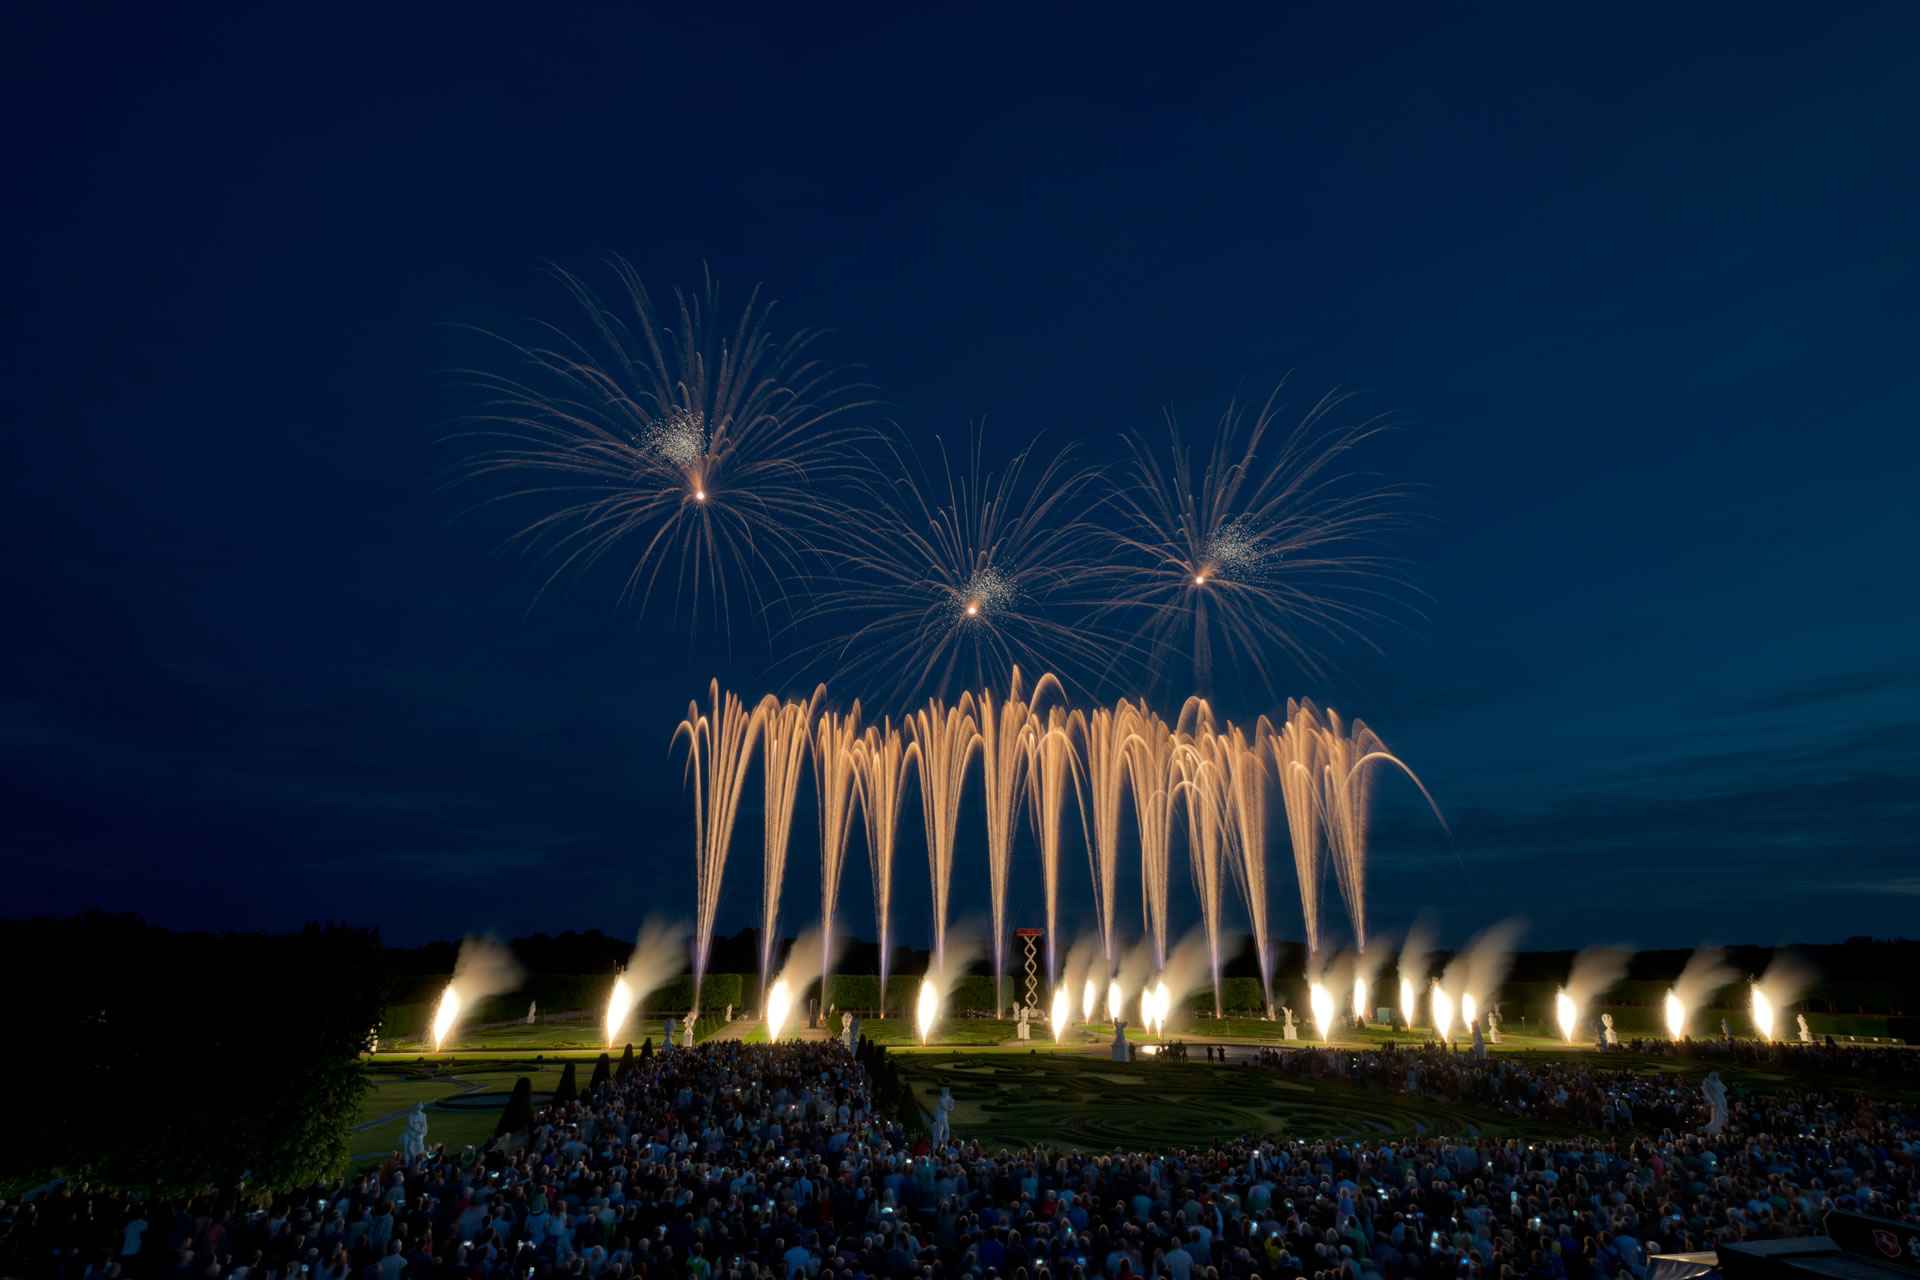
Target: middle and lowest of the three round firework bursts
[[959, 581]]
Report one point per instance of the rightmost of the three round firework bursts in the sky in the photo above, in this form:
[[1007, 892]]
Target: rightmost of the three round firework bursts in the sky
[[1264, 546]]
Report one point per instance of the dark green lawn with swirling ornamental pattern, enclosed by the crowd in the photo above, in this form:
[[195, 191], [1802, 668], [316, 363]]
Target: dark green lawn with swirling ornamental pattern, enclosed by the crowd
[[1092, 1104]]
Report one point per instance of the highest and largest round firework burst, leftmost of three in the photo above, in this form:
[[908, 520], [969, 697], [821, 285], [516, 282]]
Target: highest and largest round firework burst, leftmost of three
[[696, 446]]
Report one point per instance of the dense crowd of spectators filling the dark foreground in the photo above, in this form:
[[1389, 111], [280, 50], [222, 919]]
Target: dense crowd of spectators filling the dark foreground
[[736, 1162]]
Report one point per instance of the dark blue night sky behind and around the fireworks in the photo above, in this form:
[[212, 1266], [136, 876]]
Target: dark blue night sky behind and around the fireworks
[[1639, 281]]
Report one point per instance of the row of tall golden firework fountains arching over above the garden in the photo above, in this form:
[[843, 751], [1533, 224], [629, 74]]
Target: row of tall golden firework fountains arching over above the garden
[[1034, 757]]
